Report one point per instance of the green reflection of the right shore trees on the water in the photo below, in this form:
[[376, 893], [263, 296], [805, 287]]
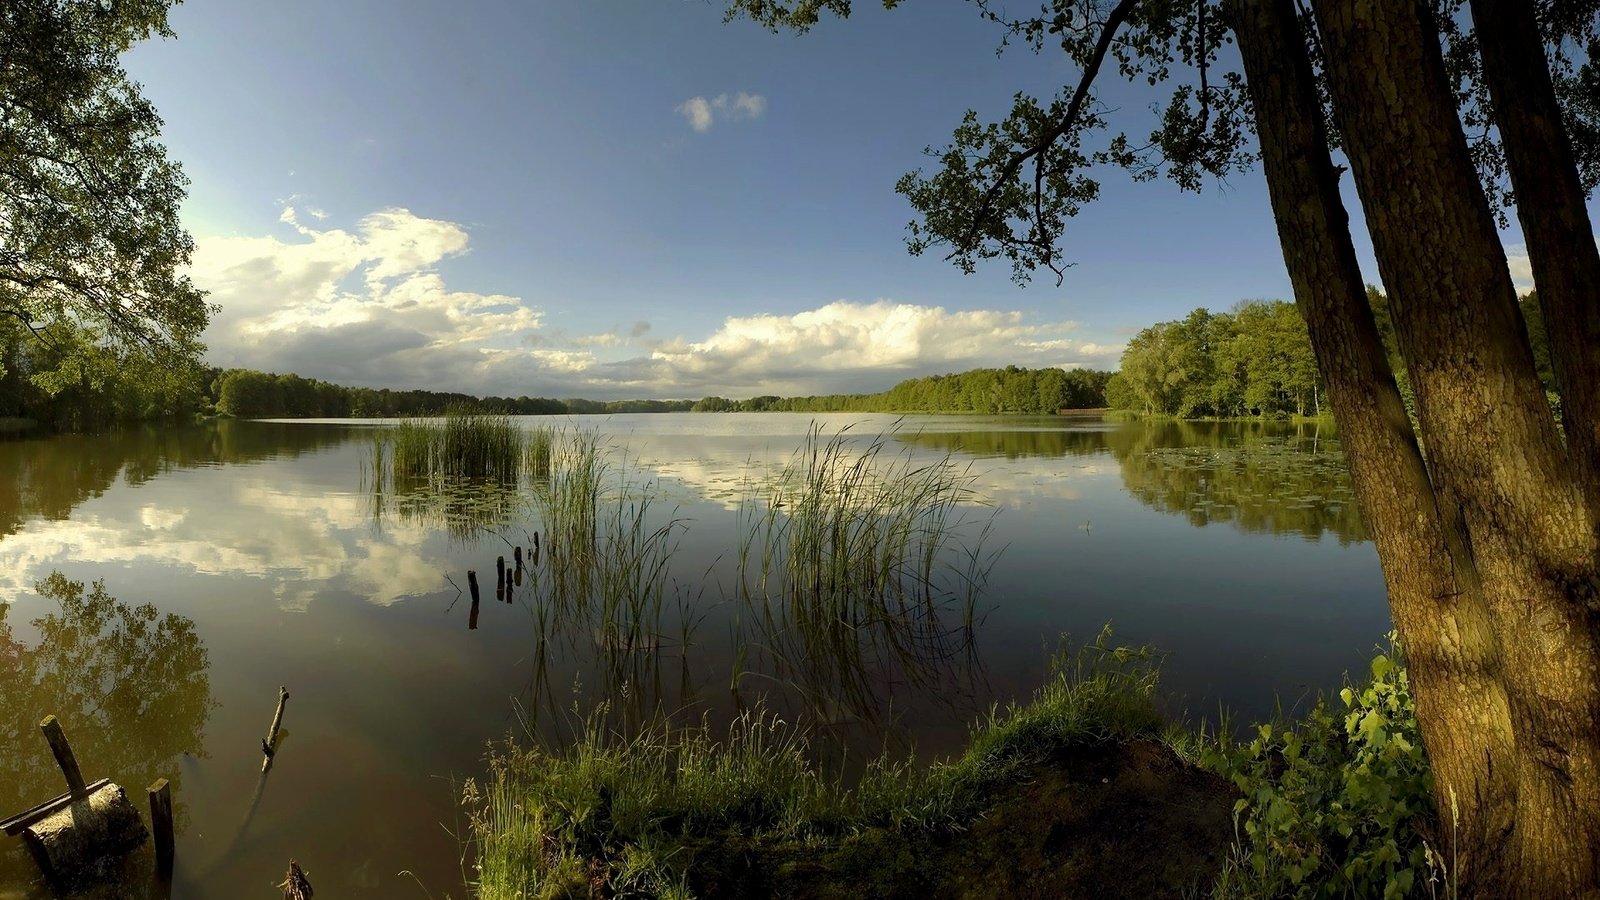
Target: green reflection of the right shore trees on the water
[[1257, 476]]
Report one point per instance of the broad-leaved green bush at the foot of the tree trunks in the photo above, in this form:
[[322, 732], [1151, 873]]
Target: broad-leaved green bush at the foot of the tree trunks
[[1338, 803]]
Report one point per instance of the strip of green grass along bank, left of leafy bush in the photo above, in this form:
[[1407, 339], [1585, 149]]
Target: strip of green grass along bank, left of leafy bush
[[636, 811]]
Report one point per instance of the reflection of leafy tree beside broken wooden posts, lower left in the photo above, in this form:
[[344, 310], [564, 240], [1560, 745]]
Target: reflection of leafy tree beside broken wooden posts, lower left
[[129, 685]]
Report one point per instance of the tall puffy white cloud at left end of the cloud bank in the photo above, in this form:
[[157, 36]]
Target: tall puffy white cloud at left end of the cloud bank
[[362, 307]]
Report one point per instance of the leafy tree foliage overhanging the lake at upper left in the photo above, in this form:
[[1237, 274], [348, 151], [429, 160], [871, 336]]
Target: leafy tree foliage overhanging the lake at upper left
[[90, 235]]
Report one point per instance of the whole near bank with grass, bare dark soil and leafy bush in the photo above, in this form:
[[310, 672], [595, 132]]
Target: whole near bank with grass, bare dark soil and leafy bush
[[1082, 792]]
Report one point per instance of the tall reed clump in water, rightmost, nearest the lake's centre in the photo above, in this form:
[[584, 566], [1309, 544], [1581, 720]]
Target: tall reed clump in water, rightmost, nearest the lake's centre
[[862, 568]]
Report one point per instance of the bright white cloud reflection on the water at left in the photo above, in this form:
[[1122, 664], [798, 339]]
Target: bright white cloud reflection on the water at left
[[217, 524]]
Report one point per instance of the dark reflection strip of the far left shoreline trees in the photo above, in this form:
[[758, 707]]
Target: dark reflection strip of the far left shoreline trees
[[52, 476]]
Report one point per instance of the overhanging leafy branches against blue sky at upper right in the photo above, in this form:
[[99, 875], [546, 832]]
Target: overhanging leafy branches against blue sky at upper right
[[1006, 190]]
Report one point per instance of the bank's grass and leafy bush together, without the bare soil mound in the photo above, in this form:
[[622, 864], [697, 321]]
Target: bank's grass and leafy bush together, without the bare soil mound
[[1337, 805]]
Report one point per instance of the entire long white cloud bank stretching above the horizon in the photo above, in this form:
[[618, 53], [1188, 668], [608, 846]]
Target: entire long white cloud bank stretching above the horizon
[[369, 307]]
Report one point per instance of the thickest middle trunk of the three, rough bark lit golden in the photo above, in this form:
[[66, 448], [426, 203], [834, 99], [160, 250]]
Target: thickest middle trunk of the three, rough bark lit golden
[[1497, 464]]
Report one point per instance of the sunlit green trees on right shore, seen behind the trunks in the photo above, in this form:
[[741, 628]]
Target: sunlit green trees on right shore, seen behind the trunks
[[1255, 361]]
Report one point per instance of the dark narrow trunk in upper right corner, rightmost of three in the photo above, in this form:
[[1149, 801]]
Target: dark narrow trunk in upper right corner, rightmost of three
[[1553, 215]]
